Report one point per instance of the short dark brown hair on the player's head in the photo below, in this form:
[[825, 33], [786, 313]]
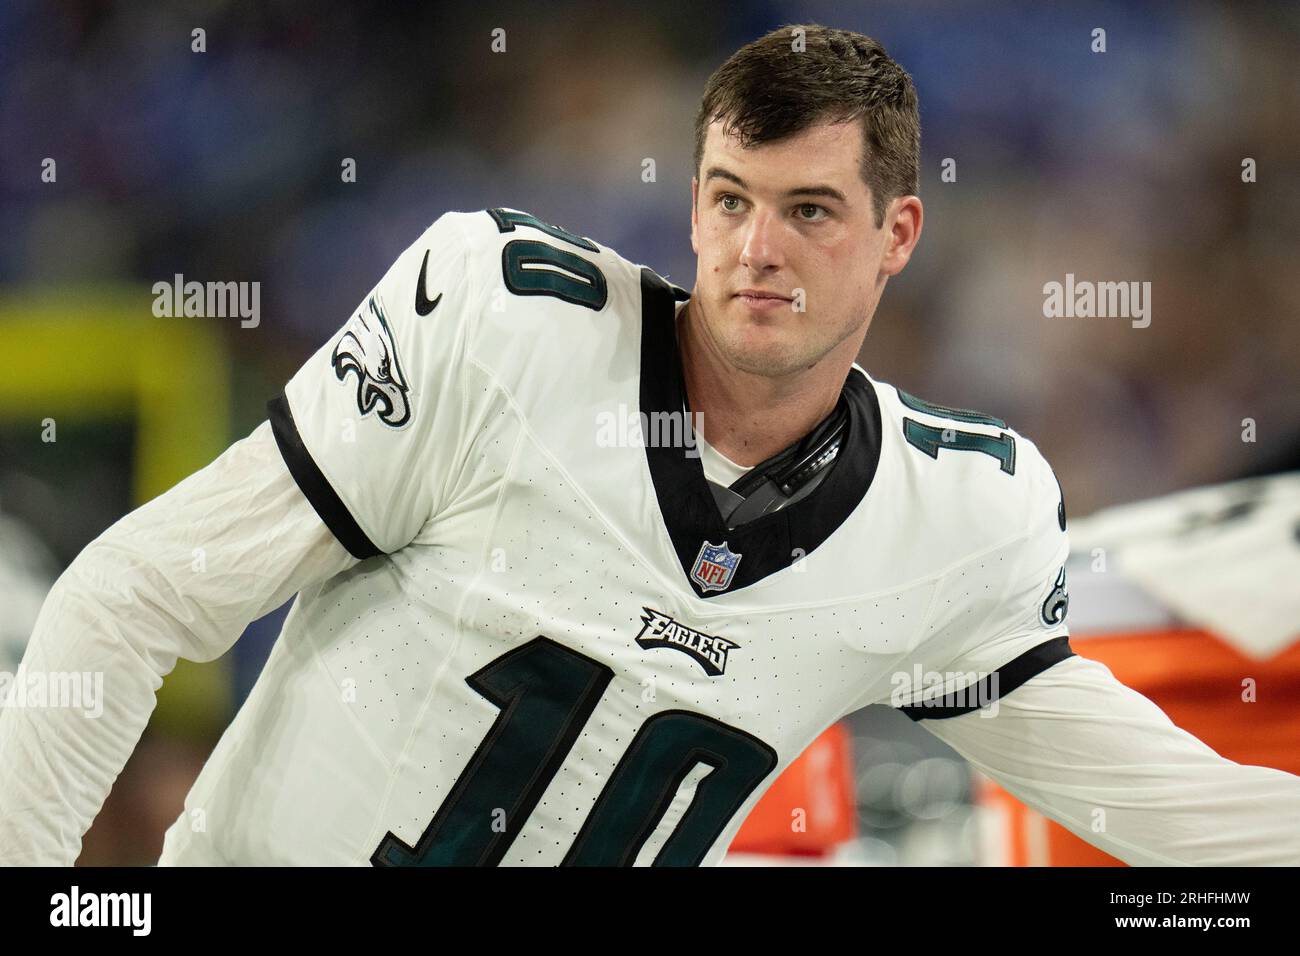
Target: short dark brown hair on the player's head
[[770, 89]]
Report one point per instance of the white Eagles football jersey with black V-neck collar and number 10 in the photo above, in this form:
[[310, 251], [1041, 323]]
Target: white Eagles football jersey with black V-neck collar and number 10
[[553, 651]]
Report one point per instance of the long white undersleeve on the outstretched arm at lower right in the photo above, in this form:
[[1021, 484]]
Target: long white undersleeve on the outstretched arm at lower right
[[1073, 741]]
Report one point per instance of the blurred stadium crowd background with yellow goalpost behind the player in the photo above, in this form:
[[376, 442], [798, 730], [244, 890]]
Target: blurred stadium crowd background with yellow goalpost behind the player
[[227, 166]]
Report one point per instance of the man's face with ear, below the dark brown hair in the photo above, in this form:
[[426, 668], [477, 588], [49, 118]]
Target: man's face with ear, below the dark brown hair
[[791, 220]]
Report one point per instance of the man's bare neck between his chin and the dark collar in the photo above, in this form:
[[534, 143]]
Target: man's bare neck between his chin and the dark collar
[[749, 418]]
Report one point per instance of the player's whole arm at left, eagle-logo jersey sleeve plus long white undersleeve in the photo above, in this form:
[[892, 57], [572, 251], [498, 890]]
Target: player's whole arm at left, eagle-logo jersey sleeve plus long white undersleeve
[[352, 465]]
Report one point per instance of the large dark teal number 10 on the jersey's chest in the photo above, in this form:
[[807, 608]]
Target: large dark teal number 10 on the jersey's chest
[[547, 694]]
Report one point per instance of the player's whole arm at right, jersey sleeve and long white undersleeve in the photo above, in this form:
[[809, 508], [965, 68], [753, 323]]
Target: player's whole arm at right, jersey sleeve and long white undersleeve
[[1068, 739]]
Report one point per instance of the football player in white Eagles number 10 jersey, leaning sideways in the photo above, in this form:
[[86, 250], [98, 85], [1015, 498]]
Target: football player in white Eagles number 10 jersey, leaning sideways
[[584, 561]]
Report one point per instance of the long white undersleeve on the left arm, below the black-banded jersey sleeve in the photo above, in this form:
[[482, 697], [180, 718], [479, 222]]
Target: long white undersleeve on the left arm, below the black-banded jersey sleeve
[[180, 577]]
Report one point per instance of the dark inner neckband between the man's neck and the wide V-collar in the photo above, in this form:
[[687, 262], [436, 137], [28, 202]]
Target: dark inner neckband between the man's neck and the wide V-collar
[[787, 477]]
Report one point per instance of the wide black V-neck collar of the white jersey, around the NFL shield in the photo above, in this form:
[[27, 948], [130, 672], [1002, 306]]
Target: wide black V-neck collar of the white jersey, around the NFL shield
[[774, 542]]
